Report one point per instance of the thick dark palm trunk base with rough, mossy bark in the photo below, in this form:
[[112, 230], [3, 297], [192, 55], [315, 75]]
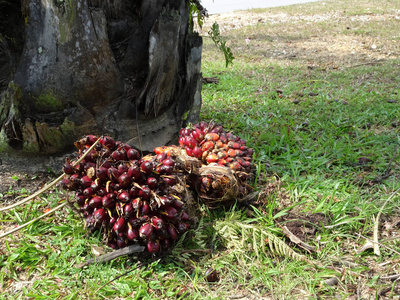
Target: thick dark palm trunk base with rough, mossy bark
[[72, 67]]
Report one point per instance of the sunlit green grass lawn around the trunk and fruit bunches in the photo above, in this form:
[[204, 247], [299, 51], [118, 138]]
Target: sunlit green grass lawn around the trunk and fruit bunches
[[308, 147]]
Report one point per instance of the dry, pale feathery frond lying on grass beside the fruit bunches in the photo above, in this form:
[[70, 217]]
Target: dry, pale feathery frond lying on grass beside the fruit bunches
[[241, 237]]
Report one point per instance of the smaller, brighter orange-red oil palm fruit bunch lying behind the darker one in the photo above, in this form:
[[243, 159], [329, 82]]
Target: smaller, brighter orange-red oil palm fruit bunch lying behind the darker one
[[227, 162]]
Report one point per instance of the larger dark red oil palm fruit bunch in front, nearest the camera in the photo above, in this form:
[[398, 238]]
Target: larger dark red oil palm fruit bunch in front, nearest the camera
[[132, 199]]
